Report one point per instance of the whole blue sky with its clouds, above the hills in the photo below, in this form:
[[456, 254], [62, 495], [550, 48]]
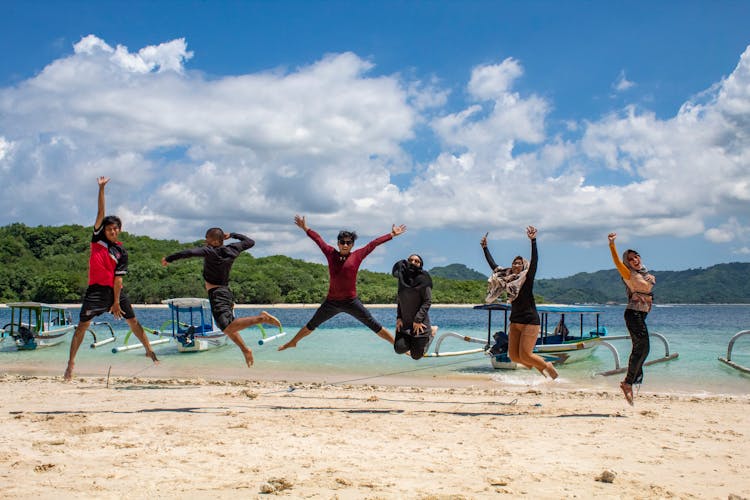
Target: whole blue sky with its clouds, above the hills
[[454, 118]]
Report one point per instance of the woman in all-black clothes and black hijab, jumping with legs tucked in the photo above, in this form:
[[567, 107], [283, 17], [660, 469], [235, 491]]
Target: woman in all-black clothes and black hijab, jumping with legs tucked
[[413, 329]]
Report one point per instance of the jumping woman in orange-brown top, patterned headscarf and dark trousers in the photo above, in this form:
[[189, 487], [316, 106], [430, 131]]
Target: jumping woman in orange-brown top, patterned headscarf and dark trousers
[[638, 284]]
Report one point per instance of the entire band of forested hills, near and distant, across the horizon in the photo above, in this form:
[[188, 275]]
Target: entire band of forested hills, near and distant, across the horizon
[[49, 264]]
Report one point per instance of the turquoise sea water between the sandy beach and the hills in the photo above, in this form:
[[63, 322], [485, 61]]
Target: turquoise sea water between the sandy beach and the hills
[[342, 351]]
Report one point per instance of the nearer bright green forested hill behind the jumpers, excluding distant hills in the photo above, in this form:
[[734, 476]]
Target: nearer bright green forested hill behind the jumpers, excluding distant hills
[[50, 264]]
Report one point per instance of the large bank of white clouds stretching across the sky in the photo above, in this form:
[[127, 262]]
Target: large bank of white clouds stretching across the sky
[[329, 138]]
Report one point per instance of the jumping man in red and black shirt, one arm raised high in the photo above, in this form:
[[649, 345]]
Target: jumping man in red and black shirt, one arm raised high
[[108, 263]]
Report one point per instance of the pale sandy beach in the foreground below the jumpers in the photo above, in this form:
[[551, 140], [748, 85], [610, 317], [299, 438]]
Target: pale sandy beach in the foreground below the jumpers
[[146, 438]]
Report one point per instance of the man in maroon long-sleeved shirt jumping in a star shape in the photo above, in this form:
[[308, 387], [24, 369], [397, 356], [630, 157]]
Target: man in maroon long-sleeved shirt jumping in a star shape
[[343, 265]]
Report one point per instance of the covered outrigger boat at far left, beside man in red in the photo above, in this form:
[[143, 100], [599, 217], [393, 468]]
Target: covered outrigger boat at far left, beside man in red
[[34, 325]]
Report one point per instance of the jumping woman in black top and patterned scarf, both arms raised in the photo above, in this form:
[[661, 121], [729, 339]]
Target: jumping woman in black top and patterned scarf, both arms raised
[[518, 282]]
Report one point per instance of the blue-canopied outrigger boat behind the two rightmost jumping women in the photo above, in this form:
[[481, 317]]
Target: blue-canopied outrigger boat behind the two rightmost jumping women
[[556, 343]]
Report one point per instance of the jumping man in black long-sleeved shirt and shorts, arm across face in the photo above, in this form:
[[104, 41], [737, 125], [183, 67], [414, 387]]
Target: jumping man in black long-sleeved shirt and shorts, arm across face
[[217, 262]]
